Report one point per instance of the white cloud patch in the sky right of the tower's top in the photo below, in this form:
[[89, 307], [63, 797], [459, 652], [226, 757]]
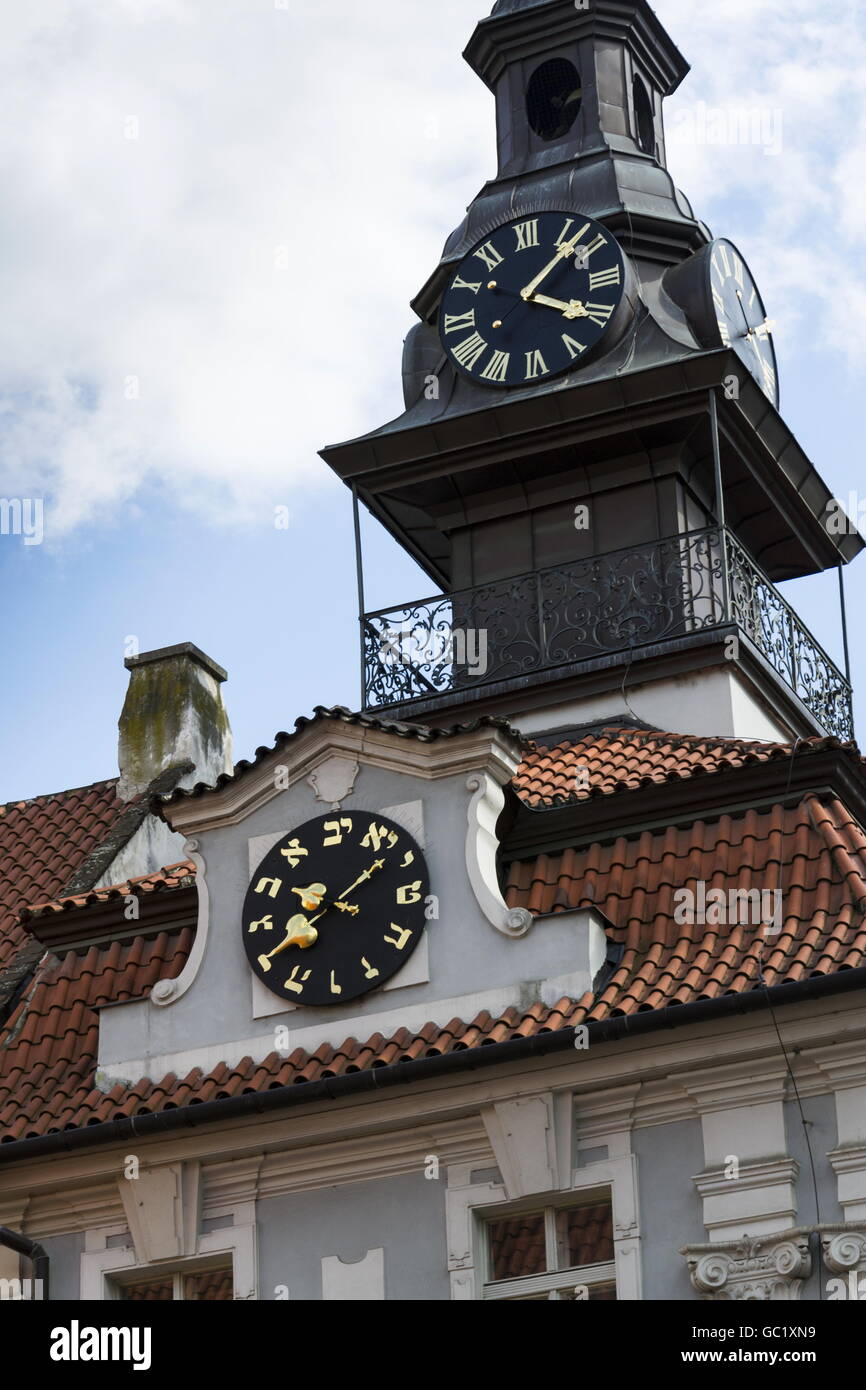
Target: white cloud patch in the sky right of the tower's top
[[803, 66]]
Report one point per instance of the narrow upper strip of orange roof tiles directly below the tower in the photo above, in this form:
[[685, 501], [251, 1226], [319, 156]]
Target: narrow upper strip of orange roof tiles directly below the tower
[[621, 758]]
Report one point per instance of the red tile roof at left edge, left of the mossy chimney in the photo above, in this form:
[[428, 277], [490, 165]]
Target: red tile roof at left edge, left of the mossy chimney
[[42, 844]]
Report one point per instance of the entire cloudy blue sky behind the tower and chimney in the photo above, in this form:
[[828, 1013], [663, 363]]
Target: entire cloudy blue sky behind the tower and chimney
[[180, 206]]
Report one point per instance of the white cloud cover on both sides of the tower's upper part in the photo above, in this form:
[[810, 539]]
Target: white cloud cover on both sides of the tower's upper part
[[162, 159]]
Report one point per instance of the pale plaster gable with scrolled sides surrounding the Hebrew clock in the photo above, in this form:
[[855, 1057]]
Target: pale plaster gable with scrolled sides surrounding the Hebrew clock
[[476, 954]]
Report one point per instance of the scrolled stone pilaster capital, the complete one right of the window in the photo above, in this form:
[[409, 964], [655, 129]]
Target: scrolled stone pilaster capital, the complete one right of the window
[[769, 1268]]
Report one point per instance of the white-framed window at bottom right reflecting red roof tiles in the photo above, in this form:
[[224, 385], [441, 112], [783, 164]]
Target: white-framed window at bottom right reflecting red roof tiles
[[562, 1253]]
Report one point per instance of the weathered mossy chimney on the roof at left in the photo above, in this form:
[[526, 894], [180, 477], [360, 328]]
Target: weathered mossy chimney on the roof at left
[[173, 714]]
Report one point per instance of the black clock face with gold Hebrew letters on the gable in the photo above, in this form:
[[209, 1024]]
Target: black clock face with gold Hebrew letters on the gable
[[336, 908]]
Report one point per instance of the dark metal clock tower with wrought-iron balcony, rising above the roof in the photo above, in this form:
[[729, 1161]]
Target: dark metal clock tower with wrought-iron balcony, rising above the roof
[[591, 465]]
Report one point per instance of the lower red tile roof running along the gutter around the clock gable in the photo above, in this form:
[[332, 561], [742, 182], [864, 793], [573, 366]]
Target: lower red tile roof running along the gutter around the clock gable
[[815, 850]]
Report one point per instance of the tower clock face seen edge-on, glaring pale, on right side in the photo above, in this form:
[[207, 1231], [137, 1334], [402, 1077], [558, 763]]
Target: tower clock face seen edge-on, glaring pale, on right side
[[742, 318]]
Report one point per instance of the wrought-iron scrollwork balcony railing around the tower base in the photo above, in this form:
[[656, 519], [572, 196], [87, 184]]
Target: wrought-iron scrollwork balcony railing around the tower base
[[610, 605]]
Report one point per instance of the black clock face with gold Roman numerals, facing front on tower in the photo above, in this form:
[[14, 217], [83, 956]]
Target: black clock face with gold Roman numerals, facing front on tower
[[533, 300]]
